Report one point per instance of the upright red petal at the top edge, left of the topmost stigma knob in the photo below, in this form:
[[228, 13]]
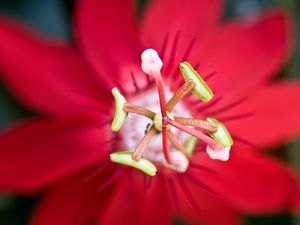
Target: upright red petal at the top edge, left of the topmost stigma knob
[[107, 35]]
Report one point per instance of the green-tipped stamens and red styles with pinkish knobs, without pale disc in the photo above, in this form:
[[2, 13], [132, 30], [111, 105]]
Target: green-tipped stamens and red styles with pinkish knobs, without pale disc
[[209, 131]]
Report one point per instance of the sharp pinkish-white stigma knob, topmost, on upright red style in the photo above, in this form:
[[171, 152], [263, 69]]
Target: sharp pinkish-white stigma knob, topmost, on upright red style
[[151, 62]]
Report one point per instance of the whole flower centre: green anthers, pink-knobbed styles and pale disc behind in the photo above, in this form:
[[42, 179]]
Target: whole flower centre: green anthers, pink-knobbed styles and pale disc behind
[[171, 134]]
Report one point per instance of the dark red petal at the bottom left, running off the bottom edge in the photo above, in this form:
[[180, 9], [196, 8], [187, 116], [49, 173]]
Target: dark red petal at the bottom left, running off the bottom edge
[[72, 202]]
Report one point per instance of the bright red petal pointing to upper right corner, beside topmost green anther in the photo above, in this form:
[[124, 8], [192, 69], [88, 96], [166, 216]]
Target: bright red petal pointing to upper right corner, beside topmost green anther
[[245, 54]]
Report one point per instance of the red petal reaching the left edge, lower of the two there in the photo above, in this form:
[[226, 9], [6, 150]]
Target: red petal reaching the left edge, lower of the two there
[[38, 152]]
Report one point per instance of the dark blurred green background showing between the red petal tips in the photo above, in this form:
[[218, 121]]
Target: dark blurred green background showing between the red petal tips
[[54, 18]]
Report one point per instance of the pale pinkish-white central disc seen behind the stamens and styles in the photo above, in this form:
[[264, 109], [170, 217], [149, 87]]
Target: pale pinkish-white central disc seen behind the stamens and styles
[[137, 126]]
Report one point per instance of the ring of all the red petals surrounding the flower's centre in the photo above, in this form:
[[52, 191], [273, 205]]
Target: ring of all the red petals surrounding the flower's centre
[[54, 78]]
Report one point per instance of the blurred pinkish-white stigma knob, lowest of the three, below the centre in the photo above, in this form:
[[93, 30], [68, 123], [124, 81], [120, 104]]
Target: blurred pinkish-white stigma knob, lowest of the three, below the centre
[[180, 164]]
